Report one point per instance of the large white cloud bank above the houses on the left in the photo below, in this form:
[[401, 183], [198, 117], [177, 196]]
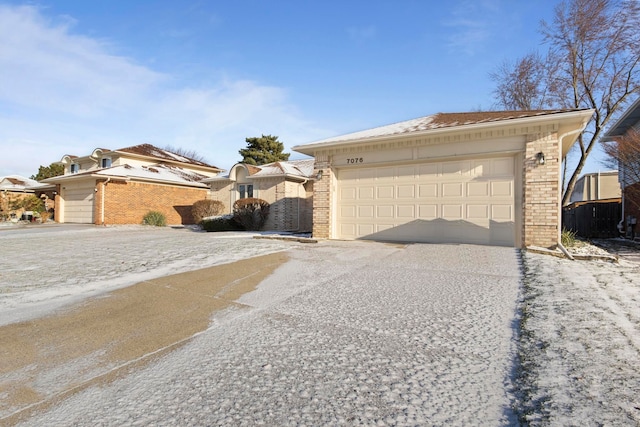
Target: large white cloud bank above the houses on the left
[[69, 94]]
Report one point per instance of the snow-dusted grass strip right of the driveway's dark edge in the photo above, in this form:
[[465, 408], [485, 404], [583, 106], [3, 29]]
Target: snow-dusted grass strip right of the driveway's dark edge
[[580, 342]]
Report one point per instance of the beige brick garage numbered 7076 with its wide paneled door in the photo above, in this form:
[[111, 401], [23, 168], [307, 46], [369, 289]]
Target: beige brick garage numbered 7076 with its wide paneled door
[[489, 177]]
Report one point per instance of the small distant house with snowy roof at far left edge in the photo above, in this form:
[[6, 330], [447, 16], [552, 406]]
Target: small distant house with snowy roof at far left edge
[[14, 188]]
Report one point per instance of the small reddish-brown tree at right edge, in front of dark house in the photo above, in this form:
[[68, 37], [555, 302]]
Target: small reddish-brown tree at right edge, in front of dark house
[[624, 153]]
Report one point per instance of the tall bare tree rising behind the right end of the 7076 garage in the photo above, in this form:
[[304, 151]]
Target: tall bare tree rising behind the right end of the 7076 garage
[[592, 62]]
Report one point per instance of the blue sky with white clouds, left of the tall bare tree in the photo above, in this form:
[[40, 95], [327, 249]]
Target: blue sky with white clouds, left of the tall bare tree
[[205, 75]]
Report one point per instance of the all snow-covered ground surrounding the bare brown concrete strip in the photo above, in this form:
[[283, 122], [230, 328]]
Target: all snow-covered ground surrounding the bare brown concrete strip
[[357, 333]]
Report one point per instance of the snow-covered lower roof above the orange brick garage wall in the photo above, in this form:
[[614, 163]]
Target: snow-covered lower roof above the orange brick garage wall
[[159, 172]]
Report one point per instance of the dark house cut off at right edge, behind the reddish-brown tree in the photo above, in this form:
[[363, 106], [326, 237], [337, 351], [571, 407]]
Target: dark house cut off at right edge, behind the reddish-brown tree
[[628, 174]]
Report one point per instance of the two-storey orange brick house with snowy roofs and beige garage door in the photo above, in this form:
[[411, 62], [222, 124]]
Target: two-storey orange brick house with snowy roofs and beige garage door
[[122, 186]]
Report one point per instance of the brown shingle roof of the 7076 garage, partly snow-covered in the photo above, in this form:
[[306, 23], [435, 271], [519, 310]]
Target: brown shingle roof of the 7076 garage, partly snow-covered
[[438, 121]]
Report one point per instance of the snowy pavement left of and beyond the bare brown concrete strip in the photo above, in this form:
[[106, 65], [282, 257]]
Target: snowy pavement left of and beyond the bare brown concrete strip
[[45, 267]]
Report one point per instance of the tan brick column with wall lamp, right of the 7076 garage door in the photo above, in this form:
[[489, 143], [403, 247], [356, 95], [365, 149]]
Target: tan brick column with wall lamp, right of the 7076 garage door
[[541, 204]]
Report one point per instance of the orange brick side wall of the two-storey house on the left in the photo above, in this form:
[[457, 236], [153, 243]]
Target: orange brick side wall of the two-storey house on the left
[[129, 202]]
